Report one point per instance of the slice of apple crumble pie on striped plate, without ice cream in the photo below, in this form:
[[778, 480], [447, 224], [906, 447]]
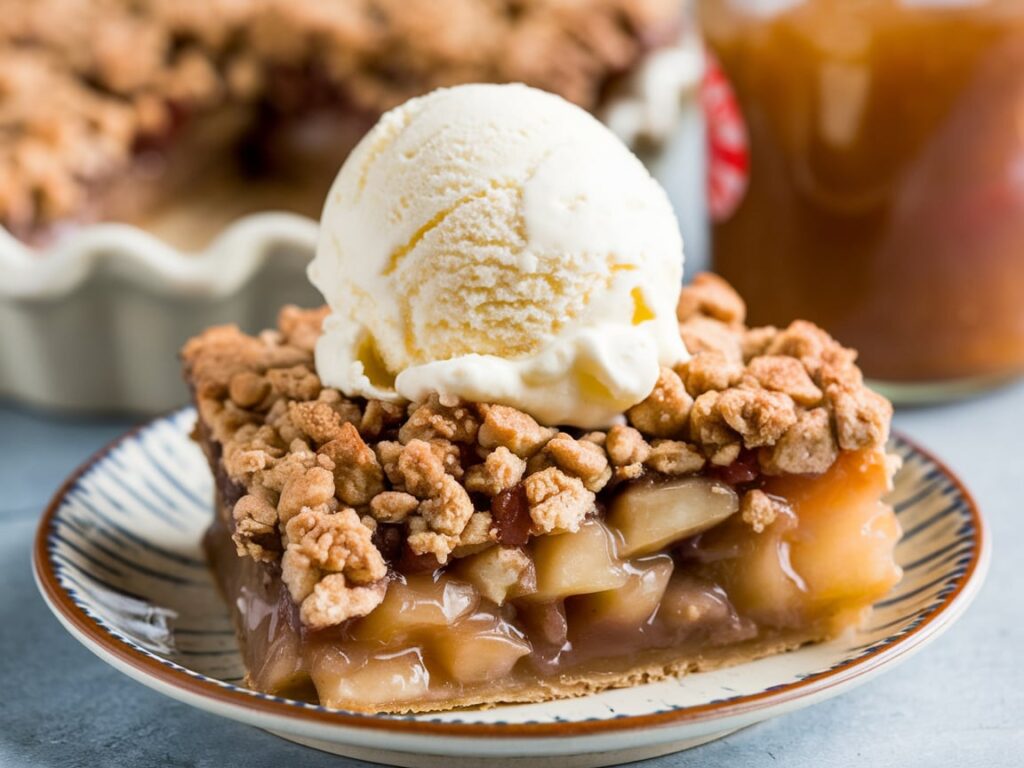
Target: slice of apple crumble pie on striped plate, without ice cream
[[392, 558]]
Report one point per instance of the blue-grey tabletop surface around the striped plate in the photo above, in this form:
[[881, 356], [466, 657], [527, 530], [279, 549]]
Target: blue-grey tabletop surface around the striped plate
[[961, 703]]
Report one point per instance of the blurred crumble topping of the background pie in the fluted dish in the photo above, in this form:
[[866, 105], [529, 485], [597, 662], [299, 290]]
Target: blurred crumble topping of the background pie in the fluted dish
[[84, 86]]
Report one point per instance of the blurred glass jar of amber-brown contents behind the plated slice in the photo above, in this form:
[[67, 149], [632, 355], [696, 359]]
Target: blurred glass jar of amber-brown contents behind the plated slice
[[878, 179]]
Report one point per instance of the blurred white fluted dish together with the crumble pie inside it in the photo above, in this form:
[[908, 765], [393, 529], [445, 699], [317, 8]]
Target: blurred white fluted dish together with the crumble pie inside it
[[80, 301]]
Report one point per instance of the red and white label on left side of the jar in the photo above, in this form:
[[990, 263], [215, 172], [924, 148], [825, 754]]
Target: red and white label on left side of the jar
[[729, 149]]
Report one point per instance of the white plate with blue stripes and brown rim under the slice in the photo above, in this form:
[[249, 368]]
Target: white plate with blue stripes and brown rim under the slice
[[118, 560]]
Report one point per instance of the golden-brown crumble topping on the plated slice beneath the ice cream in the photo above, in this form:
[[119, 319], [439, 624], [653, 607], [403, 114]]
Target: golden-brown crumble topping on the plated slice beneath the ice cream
[[338, 489]]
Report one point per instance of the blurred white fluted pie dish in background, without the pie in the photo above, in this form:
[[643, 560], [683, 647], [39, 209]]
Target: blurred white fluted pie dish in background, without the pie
[[94, 322]]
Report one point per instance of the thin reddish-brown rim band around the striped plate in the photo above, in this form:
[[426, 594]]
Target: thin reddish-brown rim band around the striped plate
[[203, 688]]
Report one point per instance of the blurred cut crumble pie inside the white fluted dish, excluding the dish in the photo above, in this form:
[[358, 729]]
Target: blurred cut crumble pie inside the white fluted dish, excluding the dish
[[183, 115]]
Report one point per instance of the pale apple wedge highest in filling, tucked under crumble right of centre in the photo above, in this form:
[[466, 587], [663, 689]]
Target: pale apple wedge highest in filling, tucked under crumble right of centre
[[653, 517]]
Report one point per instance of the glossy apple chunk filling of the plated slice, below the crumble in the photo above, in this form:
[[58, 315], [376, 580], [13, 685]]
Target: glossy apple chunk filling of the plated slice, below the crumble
[[670, 577]]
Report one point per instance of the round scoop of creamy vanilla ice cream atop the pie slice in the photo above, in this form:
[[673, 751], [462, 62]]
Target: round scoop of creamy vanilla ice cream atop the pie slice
[[497, 243]]
